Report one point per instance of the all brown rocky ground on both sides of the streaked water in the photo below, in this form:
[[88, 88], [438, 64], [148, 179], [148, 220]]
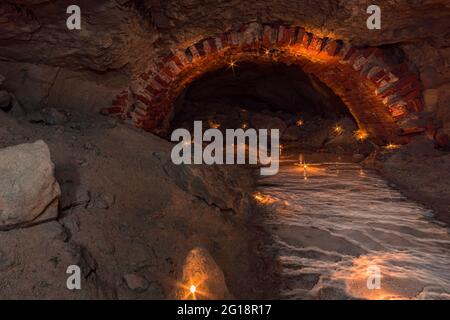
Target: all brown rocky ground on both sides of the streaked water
[[133, 221]]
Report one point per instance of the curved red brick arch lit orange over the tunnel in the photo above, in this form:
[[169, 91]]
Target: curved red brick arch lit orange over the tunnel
[[381, 96]]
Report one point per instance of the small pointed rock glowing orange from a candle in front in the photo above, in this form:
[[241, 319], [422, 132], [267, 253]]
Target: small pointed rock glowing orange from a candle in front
[[202, 278]]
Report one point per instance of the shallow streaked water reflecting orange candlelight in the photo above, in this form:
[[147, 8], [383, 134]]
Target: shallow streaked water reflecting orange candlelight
[[339, 227]]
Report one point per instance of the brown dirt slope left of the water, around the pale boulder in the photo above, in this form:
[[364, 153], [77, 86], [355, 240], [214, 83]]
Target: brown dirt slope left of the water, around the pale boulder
[[127, 216]]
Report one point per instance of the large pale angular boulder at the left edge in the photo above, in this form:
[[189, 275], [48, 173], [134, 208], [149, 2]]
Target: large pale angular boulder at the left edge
[[29, 192]]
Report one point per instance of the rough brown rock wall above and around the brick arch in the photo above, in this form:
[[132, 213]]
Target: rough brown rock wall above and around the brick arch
[[121, 38]]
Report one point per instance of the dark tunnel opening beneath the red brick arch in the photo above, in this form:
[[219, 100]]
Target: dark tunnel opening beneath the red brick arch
[[260, 96]]
